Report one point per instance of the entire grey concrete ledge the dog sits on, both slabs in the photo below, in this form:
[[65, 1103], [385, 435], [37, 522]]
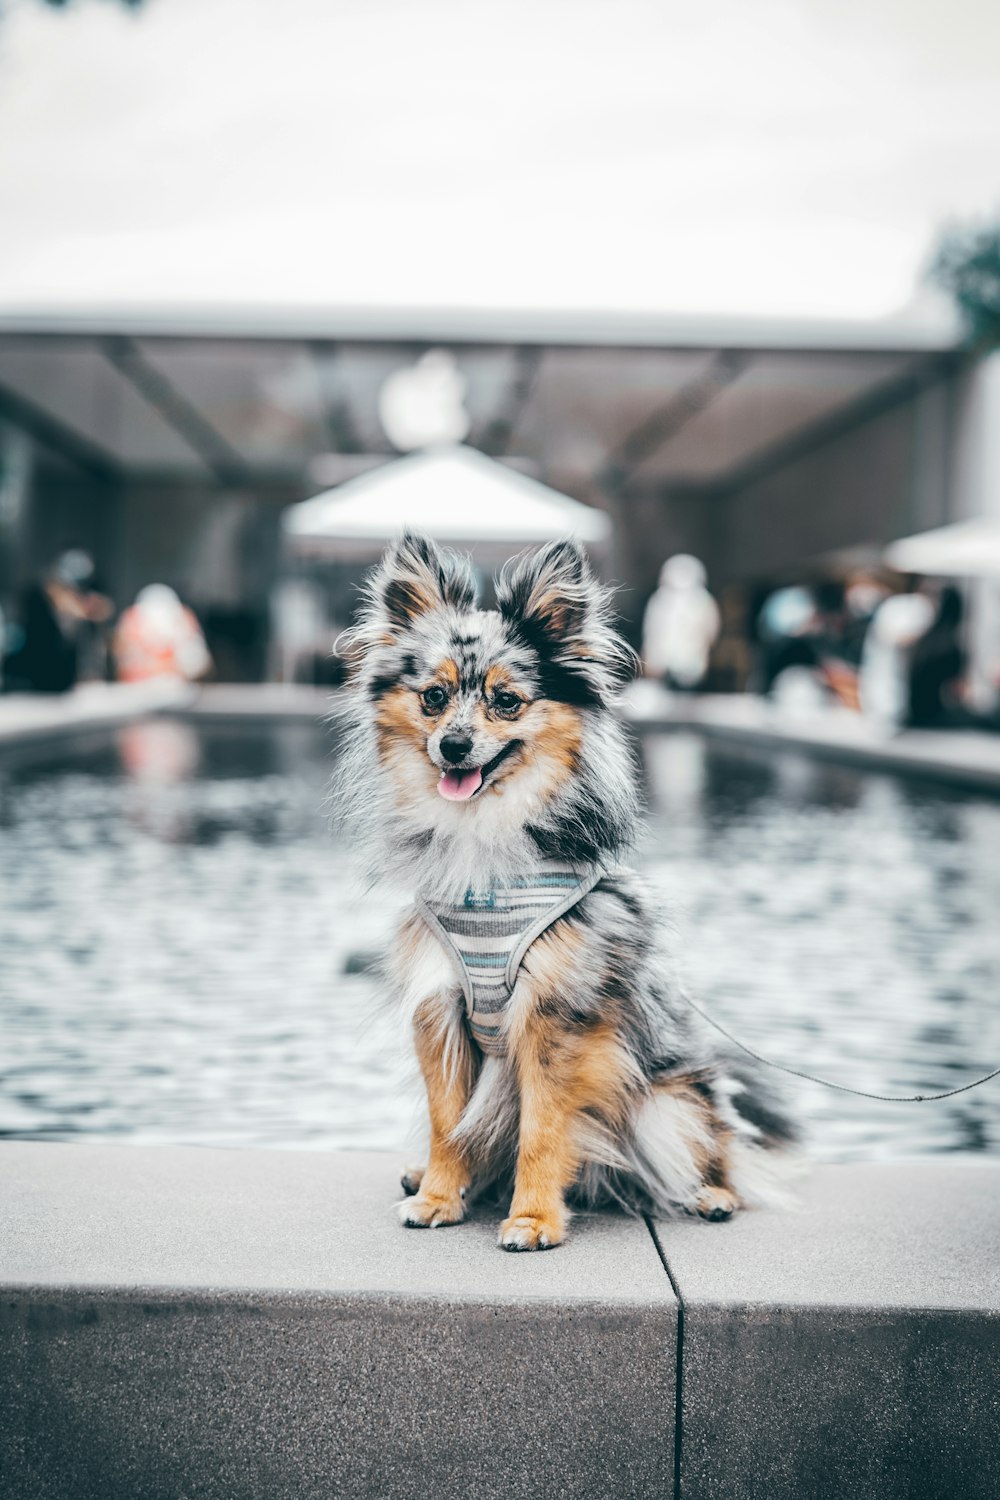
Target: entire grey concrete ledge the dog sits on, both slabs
[[182, 1322]]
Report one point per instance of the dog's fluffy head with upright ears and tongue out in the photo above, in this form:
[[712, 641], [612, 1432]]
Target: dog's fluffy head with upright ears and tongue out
[[478, 707]]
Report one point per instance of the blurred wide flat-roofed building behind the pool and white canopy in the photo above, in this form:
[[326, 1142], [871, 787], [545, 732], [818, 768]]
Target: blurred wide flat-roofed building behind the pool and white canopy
[[169, 449]]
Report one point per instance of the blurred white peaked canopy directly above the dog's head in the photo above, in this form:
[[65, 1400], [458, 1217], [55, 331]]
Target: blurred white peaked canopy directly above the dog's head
[[455, 496]]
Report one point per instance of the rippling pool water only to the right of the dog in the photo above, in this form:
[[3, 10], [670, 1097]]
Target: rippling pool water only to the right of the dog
[[843, 923]]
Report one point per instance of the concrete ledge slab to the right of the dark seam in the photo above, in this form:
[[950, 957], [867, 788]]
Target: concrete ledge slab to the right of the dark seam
[[849, 1349]]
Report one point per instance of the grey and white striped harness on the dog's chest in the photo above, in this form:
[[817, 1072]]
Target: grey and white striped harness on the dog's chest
[[491, 932]]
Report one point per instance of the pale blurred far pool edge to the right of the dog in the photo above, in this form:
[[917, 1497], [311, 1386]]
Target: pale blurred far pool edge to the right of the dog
[[962, 758]]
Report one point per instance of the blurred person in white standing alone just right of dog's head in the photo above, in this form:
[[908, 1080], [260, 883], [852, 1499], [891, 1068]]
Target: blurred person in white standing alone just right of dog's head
[[681, 625]]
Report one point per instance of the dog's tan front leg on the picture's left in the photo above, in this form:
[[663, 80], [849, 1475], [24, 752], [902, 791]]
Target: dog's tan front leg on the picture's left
[[449, 1066]]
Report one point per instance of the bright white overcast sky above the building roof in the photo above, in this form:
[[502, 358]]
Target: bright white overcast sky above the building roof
[[738, 157]]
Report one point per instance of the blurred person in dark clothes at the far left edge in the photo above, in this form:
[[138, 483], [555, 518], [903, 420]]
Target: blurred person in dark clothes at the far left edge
[[59, 619]]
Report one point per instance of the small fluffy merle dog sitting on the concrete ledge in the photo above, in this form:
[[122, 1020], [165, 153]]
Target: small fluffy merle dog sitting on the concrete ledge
[[487, 769]]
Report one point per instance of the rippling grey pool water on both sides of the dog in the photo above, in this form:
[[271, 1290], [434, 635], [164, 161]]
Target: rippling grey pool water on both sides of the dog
[[184, 949]]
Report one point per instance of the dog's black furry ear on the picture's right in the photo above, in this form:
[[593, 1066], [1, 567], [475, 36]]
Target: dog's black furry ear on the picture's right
[[555, 604]]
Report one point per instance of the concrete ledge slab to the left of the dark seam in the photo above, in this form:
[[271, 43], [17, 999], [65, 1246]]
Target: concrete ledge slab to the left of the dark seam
[[259, 1325]]
